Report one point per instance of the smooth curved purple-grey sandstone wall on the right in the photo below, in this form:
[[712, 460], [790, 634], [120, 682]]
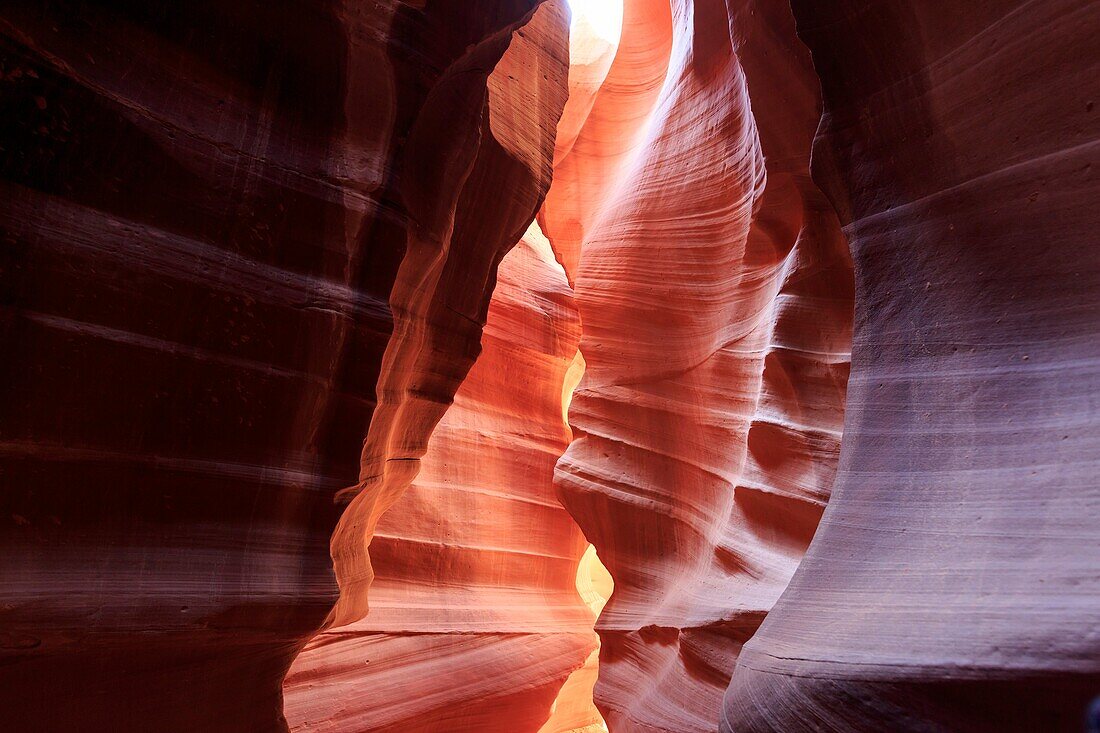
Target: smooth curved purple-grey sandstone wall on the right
[[953, 584]]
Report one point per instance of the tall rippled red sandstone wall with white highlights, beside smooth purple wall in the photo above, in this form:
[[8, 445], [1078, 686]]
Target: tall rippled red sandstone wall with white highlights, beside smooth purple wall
[[716, 291]]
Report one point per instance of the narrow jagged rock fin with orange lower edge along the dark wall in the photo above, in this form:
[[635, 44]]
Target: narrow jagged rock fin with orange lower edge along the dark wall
[[502, 169]]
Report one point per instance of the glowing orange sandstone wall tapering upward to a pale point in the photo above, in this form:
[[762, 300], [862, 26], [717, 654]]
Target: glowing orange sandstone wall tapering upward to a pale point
[[476, 605]]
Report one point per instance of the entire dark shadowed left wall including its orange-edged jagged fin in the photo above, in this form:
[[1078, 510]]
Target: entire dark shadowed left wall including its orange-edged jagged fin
[[226, 229]]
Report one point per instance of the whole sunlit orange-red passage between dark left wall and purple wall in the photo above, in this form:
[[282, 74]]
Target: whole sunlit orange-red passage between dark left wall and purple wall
[[708, 326]]
